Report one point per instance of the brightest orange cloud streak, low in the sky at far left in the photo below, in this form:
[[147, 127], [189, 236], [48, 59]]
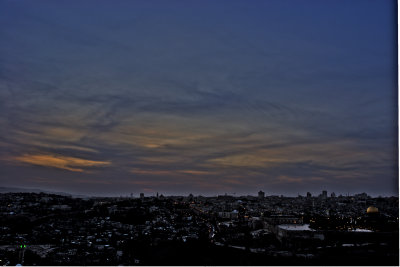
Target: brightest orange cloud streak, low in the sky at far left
[[60, 162]]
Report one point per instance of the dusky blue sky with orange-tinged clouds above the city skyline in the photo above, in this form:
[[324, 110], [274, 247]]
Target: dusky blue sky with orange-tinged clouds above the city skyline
[[204, 97]]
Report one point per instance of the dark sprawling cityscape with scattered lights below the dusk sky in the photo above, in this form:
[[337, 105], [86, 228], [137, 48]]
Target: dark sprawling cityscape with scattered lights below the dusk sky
[[50, 229]]
